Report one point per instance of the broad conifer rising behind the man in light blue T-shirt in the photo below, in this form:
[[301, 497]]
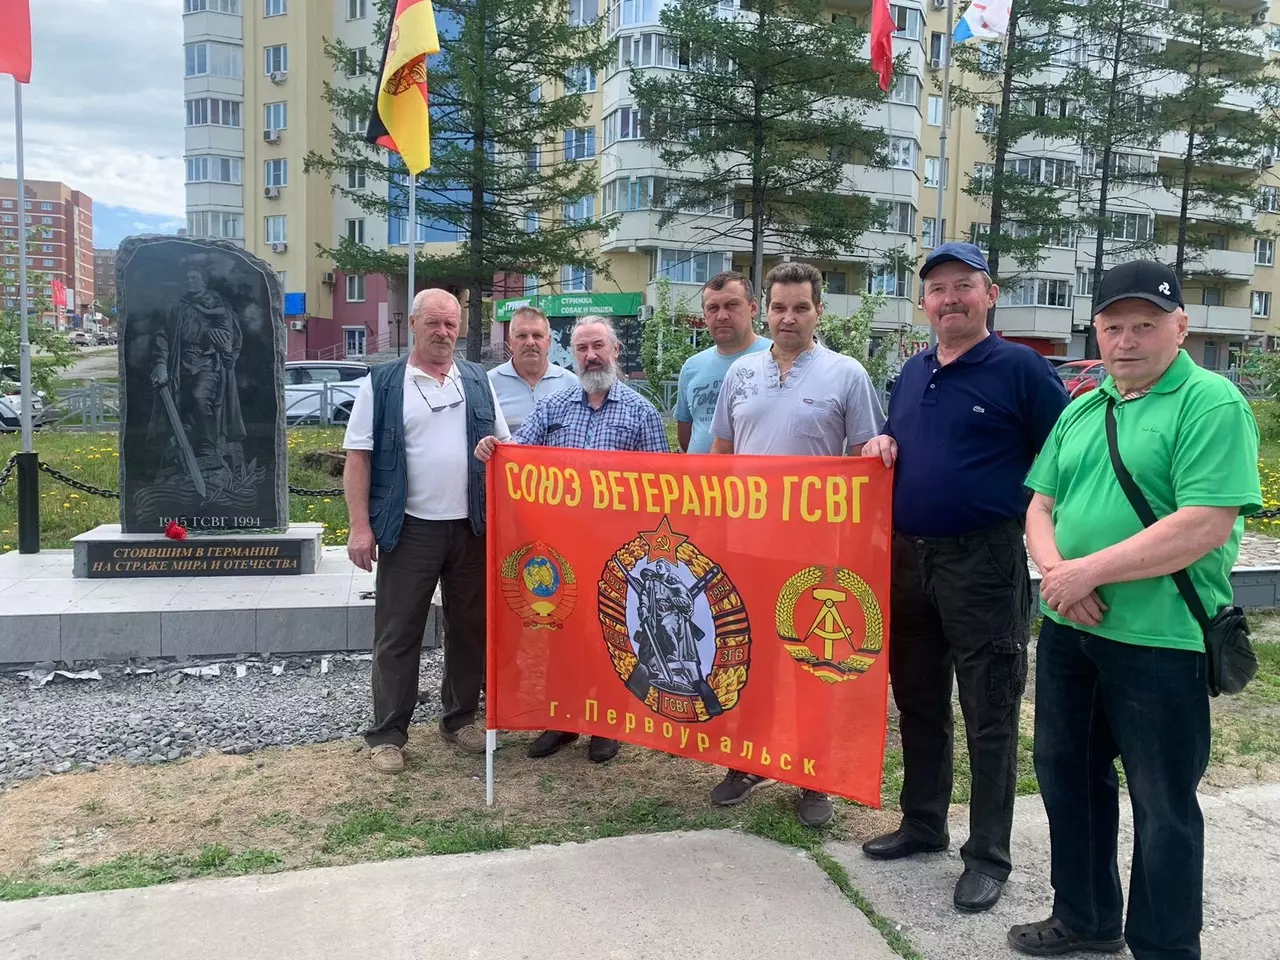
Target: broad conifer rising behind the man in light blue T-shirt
[[764, 122]]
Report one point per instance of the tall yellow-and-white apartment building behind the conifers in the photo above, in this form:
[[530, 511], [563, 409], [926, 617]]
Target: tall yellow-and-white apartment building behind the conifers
[[255, 108]]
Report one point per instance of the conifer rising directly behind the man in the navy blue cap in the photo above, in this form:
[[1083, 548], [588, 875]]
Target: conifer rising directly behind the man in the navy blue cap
[[1025, 104]]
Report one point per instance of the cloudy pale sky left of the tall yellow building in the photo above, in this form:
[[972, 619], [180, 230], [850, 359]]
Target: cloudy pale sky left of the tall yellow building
[[104, 111]]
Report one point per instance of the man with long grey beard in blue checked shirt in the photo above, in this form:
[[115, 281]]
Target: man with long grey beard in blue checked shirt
[[601, 415]]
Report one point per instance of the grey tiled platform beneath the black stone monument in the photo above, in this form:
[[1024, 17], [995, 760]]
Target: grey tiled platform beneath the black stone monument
[[49, 615]]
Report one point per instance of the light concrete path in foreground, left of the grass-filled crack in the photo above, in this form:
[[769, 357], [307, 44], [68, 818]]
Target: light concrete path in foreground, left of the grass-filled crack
[[688, 897]]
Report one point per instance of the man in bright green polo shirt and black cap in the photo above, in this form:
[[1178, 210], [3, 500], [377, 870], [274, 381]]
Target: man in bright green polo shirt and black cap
[[1121, 666]]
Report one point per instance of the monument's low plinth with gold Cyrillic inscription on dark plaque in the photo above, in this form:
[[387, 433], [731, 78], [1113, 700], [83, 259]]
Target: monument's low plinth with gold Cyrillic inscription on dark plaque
[[107, 552]]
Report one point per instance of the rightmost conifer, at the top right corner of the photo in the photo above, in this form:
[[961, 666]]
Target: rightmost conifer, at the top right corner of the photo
[[1224, 76]]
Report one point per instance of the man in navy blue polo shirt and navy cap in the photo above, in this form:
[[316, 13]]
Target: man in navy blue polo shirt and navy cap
[[966, 422]]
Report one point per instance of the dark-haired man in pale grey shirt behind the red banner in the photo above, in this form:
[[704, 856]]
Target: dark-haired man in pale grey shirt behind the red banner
[[799, 400]]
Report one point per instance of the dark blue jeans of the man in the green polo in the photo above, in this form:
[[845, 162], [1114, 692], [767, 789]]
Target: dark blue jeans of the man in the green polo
[[1098, 700]]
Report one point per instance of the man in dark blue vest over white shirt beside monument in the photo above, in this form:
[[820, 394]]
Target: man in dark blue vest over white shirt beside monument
[[415, 495]]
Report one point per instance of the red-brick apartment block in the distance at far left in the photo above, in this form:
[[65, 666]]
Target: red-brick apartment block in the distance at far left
[[60, 244]]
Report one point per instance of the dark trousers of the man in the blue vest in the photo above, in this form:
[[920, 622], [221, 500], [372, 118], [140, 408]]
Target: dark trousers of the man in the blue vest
[[429, 552]]
